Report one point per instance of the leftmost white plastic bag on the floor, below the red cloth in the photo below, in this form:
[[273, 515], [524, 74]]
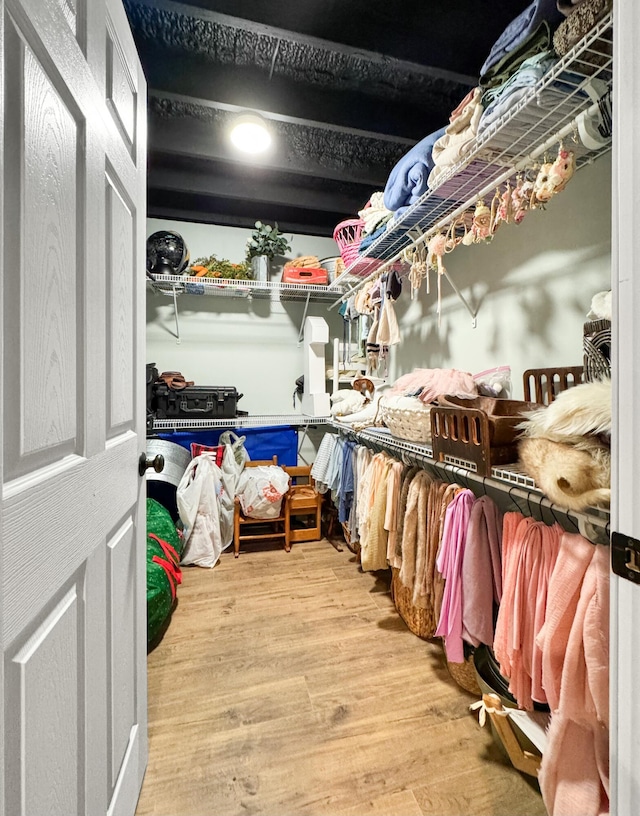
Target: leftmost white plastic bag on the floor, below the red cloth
[[198, 505]]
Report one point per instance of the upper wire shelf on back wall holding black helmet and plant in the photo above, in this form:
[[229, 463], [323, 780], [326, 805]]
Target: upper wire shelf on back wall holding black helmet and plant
[[225, 287]]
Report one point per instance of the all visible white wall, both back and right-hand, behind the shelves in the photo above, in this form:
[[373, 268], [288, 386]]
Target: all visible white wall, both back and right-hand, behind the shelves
[[533, 284]]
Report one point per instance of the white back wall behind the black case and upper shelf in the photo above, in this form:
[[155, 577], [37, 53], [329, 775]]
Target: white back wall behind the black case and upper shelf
[[251, 344]]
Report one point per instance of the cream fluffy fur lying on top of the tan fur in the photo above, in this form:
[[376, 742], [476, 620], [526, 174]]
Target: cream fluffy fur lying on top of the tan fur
[[580, 411]]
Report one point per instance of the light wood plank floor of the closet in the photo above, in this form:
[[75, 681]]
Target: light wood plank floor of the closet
[[287, 685]]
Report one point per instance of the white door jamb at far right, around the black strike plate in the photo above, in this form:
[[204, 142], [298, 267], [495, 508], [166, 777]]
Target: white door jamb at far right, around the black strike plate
[[625, 508]]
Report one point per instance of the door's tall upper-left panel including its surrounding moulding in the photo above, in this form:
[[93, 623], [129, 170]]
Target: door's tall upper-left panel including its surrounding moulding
[[41, 315]]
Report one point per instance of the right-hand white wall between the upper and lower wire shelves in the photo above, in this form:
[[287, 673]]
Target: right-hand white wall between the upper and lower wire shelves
[[533, 284]]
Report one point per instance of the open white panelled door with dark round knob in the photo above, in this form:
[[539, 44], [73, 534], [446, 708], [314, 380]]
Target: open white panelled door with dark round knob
[[72, 554]]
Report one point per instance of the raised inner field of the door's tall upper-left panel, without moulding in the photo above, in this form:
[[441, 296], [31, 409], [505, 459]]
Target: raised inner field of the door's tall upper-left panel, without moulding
[[48, 309]]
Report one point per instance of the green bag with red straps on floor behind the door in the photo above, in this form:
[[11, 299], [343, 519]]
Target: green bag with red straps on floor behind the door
[[164, 547]]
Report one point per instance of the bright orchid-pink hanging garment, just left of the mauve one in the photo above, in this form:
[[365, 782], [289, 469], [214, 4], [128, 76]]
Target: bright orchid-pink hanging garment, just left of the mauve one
[[449, 563]]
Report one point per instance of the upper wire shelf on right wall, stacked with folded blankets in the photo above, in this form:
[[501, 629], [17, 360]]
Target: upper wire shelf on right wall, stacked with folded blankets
[[550, 111]]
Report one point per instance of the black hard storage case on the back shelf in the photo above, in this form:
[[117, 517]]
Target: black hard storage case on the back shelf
[[196, 402]]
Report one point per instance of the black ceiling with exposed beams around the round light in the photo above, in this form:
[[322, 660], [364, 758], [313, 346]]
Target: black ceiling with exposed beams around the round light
[[347, 87]]
